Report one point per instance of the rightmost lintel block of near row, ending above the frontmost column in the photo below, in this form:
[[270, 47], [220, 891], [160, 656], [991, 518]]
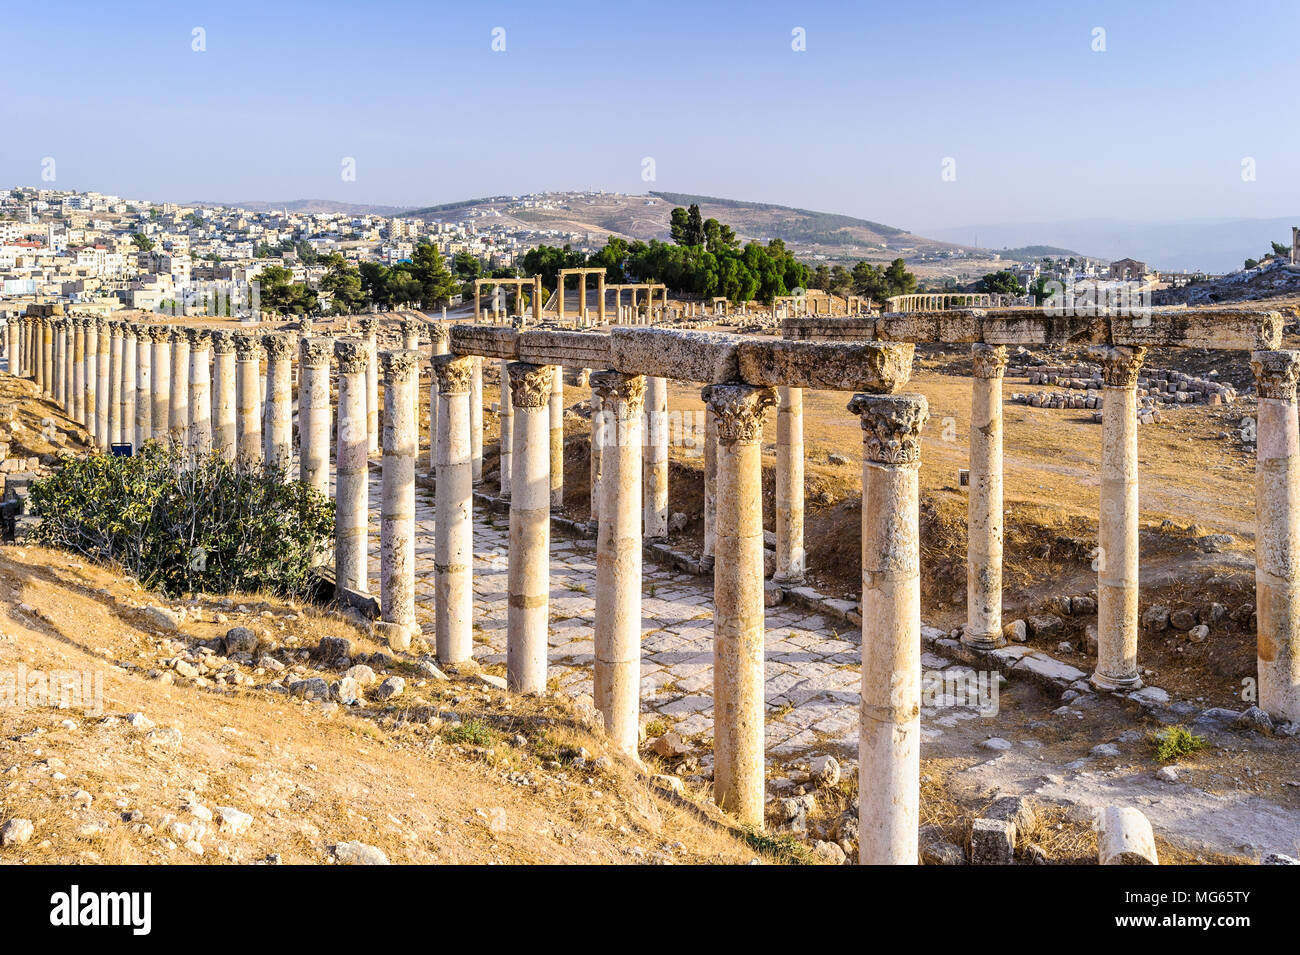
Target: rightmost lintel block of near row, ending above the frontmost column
[[872, 367]]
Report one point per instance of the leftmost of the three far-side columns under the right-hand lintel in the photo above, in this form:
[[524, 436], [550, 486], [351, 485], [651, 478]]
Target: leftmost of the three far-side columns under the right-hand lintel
[[985, 505]]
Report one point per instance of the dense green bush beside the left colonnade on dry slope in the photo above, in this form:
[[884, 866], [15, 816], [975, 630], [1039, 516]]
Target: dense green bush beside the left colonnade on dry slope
[[184, 526]]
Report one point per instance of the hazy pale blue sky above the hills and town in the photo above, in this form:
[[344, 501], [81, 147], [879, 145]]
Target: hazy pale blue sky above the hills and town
[[1041, 127]]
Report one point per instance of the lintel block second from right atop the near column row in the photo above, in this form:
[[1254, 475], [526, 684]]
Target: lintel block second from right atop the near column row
[[712, 358]]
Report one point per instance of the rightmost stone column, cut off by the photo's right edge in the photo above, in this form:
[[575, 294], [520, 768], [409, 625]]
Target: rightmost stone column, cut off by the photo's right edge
[[1277, 535]]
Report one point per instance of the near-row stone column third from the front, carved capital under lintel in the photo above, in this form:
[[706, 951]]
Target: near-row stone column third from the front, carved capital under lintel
[[618, 561]]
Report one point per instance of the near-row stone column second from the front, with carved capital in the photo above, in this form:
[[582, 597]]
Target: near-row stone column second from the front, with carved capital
[[739, 600]]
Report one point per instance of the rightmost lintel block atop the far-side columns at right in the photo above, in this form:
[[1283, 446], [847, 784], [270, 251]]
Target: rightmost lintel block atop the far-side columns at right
[[1201, 328]]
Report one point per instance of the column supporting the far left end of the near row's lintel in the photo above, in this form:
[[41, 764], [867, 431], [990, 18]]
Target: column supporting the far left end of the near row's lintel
[[453, 555]]
